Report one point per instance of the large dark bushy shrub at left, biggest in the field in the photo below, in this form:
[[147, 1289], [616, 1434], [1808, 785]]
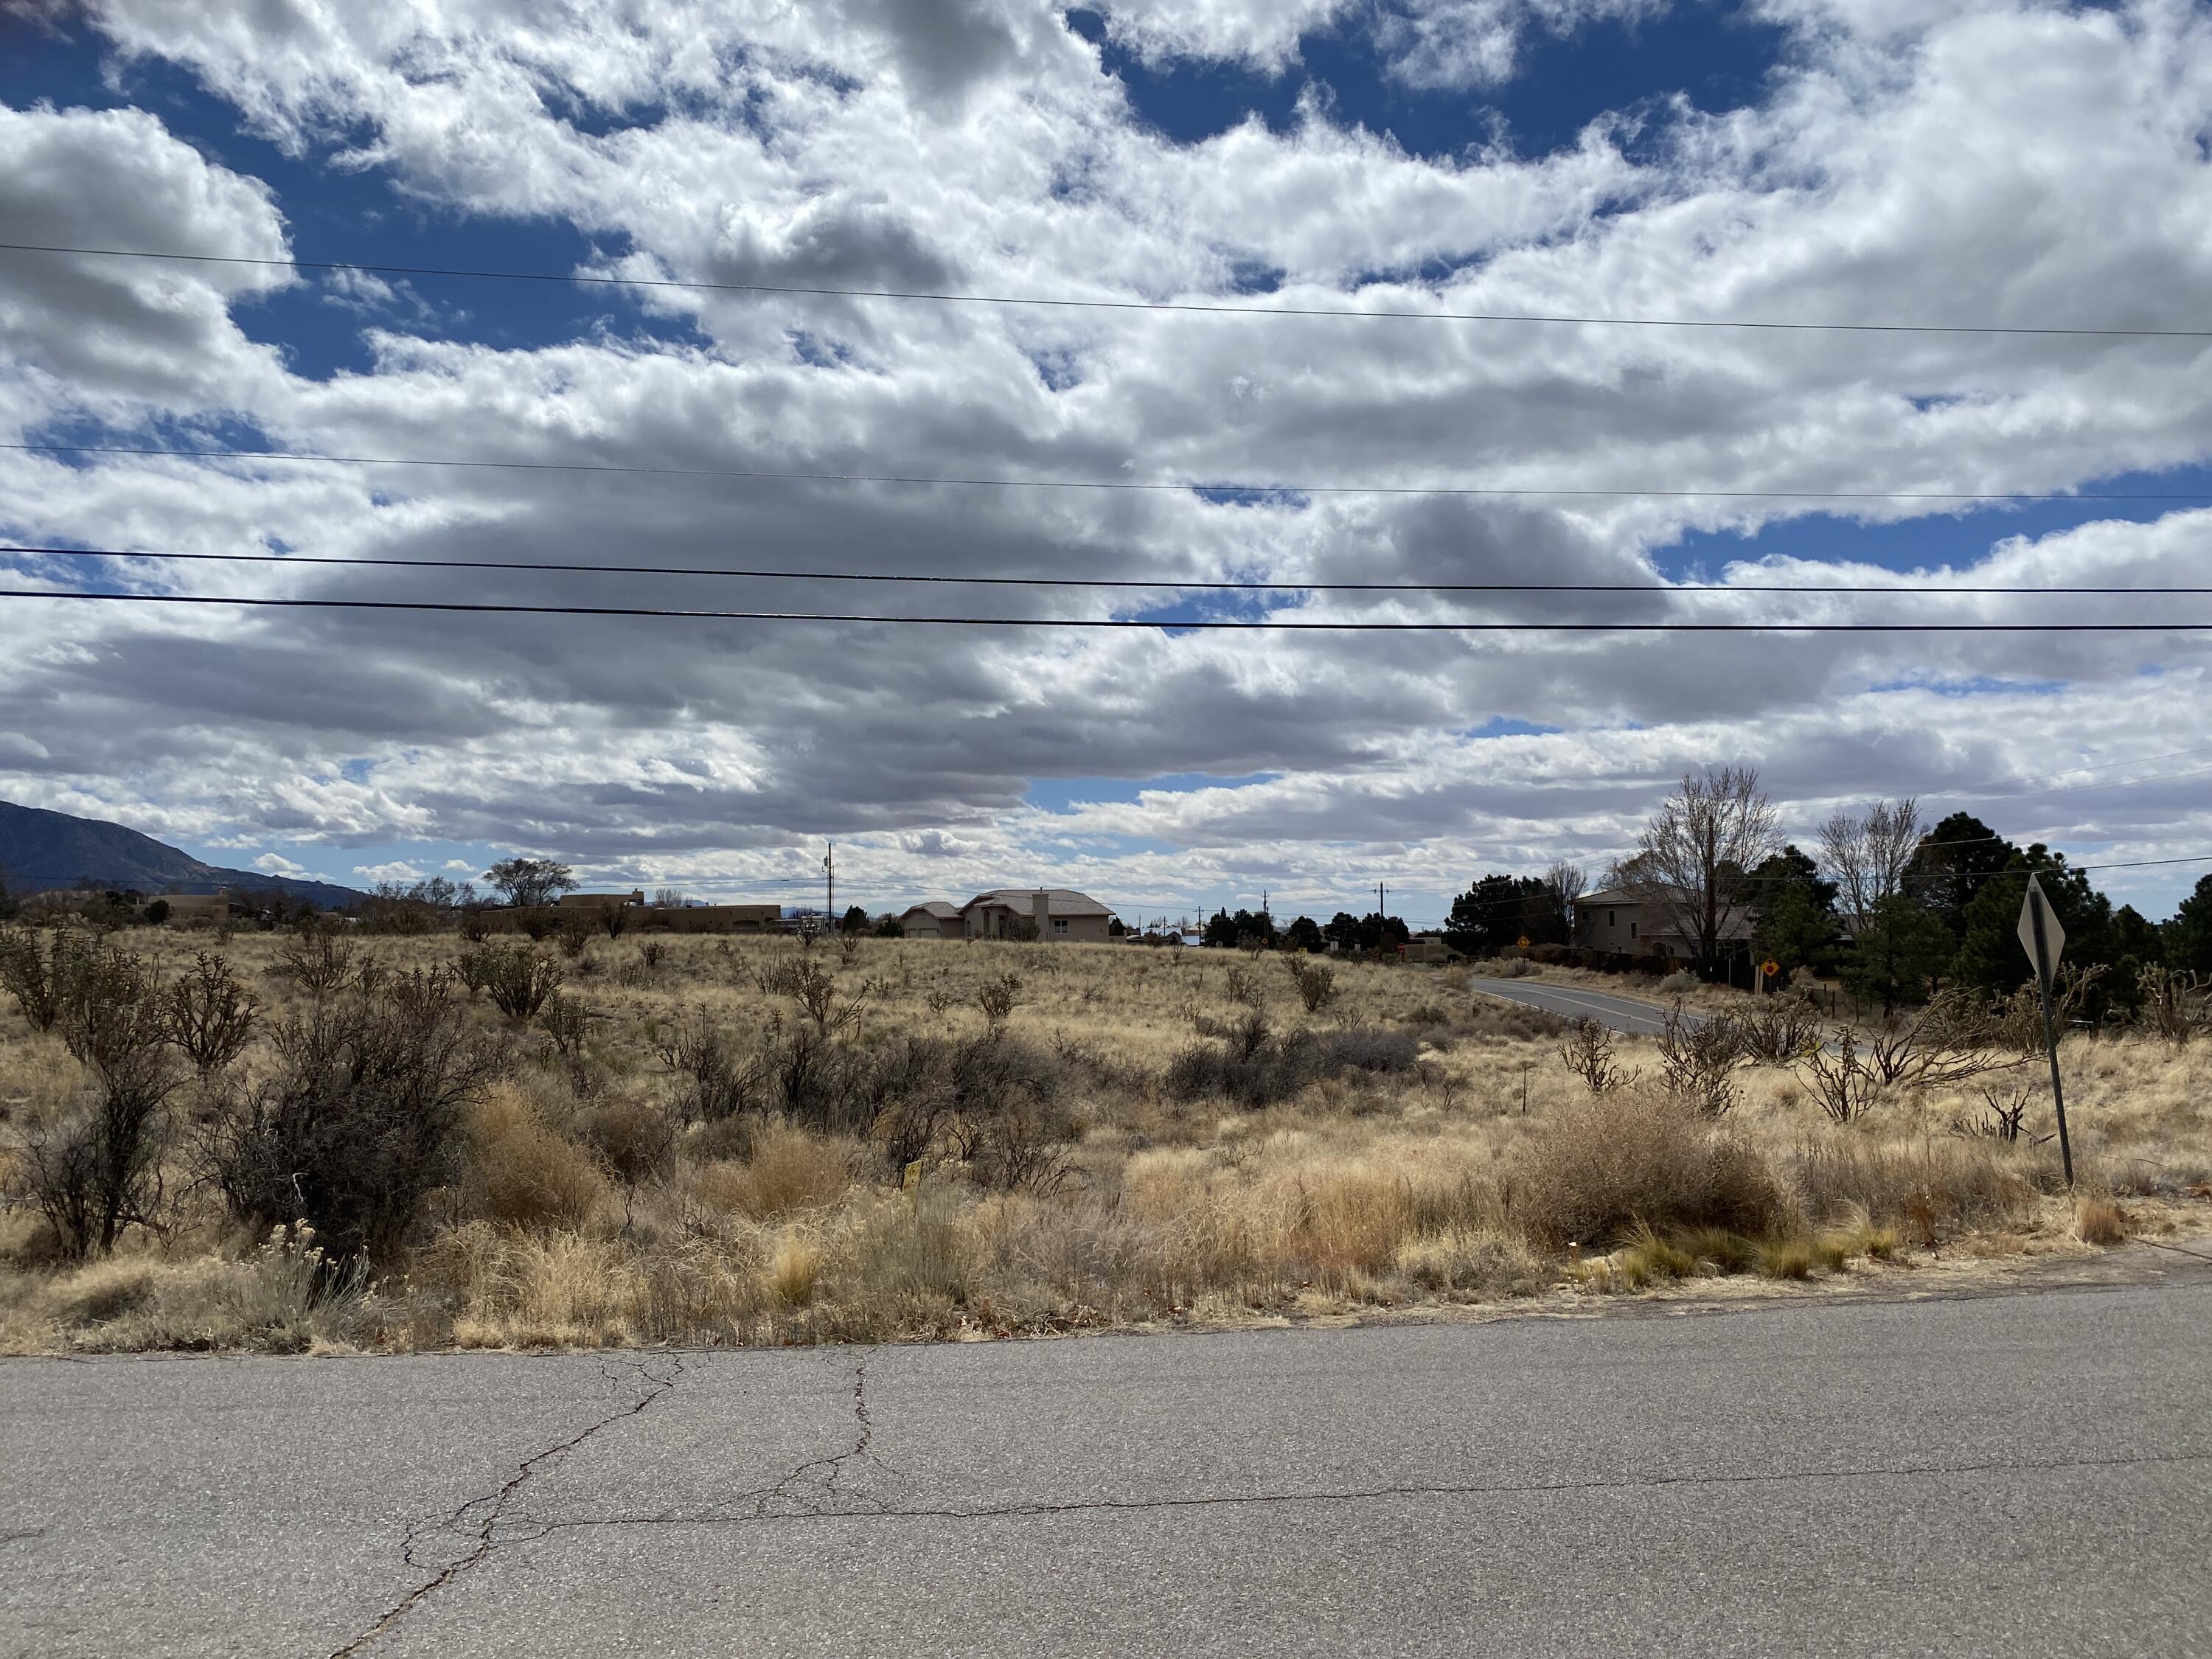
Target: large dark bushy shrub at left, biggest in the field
[[357, 1120]]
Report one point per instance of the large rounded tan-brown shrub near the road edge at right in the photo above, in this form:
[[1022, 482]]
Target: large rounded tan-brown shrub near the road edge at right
[[1603, 1167]]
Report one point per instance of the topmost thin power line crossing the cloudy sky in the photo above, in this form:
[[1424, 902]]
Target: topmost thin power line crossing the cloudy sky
[[1220, 309]]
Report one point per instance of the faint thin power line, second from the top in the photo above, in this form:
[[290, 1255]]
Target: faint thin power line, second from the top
[[766, 474]]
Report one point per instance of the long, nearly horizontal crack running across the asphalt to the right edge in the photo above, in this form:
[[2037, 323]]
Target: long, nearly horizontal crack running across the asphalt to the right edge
[[1368, 1494]]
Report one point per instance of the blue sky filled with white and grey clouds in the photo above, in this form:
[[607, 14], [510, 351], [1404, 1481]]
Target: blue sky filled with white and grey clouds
[[1853, 163]]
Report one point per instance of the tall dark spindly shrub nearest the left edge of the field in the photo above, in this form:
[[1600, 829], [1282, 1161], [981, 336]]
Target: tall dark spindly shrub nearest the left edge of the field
[[96, 1167]]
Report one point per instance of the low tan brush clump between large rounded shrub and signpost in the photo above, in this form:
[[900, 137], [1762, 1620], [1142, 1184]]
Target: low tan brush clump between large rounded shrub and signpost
[[1930, 1189]]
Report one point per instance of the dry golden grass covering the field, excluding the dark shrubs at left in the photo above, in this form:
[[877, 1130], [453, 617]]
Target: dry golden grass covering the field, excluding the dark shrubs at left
[[1426, 1149]]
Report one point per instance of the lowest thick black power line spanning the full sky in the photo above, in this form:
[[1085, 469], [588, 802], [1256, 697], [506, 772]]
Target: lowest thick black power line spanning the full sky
[[481, 607]]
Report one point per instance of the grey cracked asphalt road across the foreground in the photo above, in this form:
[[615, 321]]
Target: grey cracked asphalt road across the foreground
[[2005, 1477]]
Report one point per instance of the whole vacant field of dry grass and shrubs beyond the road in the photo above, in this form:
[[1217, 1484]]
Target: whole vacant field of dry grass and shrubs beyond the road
[[760, 1142]]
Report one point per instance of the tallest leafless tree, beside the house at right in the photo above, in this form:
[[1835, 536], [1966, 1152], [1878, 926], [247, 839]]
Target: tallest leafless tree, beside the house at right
[[1695, 855]]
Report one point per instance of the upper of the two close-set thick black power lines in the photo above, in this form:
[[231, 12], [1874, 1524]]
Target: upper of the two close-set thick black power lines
[[351, 561]]
